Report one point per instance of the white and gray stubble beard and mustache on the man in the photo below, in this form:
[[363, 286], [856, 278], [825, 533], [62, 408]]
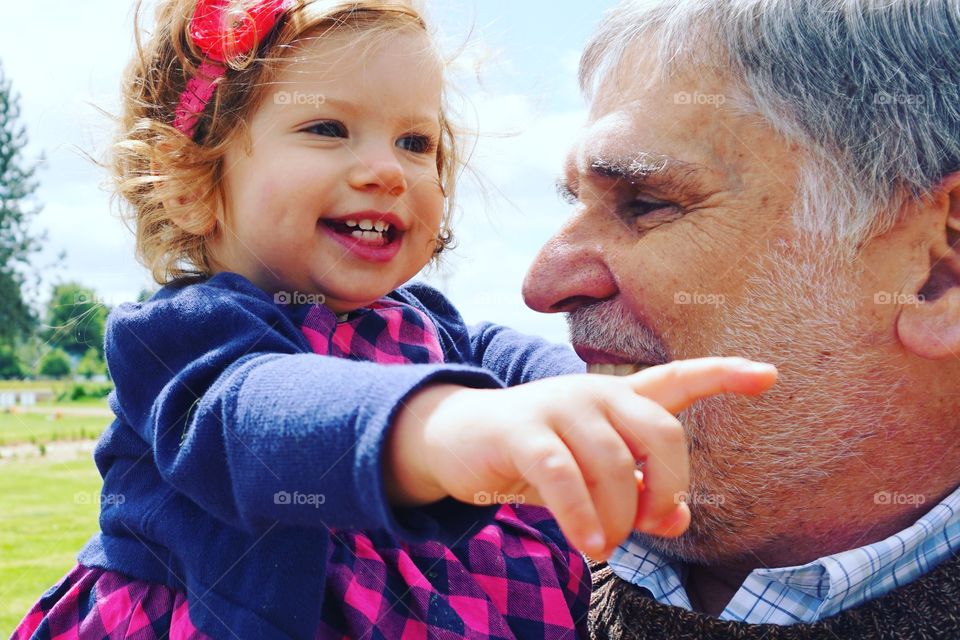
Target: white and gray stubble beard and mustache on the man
[[757, 464]]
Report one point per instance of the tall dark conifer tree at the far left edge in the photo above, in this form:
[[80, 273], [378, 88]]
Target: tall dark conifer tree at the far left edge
[[18, 242]]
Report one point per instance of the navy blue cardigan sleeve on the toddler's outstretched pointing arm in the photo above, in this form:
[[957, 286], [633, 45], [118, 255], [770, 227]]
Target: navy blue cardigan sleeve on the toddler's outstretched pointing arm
[[253, 428]]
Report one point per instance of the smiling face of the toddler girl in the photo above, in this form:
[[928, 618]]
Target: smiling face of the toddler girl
[[338, 193]]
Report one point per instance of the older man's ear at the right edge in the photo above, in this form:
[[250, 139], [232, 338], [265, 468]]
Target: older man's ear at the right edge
[[931, 327]]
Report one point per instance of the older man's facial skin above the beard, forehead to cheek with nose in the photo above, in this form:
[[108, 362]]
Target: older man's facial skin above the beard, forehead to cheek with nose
[[676, 198]]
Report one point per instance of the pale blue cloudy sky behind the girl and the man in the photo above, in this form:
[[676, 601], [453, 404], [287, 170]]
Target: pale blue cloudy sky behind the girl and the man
[[516, 75]]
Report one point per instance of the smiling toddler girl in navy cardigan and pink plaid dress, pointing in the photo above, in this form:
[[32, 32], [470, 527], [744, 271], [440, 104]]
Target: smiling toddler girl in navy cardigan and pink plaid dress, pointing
[[289, 165]]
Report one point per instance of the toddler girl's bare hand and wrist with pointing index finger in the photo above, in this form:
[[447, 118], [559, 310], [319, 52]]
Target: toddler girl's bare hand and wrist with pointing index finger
[[569, 443]]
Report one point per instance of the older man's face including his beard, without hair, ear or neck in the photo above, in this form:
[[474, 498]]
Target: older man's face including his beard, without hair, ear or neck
[[682, 245]]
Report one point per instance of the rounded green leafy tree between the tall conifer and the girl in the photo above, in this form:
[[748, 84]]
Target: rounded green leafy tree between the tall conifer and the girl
[[75, 320]]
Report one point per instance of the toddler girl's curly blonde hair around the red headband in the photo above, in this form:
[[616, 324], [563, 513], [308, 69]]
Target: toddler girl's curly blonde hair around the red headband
[[155, 166]]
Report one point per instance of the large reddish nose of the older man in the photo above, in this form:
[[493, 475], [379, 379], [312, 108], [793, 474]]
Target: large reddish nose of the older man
[[569, 272]]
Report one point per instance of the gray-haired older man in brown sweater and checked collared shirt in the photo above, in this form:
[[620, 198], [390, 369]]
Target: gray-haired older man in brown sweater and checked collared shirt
[[780, 180]]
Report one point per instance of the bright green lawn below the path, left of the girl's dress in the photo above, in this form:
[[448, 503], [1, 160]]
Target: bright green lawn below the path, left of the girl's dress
[[48, 510]]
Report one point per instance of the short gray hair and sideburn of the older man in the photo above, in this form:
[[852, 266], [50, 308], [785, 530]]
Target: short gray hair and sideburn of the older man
[[870, 89]]
